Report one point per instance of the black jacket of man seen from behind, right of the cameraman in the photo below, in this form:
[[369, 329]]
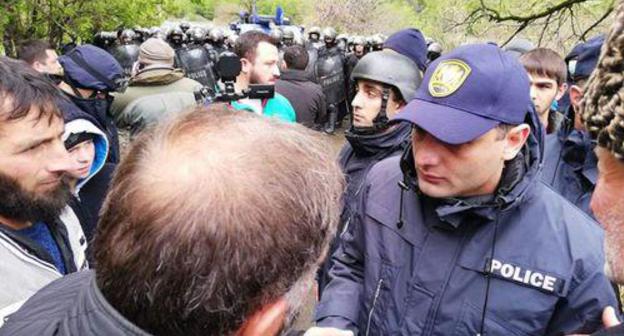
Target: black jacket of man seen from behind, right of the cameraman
[[305, 96]]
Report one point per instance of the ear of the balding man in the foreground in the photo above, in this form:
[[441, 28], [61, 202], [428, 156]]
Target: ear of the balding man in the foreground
[[268, 321]]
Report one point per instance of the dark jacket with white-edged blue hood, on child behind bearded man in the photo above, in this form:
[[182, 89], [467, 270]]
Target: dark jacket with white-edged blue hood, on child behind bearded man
[[90, 191]]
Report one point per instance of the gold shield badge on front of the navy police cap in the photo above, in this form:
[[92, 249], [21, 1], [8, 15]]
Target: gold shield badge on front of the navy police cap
[[448, 77]]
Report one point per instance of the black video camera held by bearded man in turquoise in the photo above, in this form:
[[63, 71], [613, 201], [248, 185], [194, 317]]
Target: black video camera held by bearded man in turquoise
[[228, 68]]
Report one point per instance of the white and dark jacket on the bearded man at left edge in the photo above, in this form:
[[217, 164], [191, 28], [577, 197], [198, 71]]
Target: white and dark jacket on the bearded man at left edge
[[26, 267]]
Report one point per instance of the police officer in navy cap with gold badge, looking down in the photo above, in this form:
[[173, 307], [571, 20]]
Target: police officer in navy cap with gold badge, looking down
[[457, 236]]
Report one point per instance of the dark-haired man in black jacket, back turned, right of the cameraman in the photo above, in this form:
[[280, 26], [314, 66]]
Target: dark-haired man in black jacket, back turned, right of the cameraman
[[295, 84]]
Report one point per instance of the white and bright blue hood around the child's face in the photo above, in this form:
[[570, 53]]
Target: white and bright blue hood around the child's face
[[100, 142]]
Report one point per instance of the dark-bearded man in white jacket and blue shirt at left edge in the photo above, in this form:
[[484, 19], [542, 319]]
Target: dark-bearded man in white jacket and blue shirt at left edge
[[40, 237]]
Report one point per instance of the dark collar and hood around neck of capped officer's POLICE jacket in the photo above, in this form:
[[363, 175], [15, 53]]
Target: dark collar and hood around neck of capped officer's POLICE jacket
[[519, 175]]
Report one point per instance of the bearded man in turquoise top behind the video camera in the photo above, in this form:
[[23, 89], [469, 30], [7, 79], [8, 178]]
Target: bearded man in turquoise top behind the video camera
[[260, 65]]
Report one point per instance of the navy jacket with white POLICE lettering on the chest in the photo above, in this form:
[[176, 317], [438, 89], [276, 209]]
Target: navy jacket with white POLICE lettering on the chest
[[413, 265]]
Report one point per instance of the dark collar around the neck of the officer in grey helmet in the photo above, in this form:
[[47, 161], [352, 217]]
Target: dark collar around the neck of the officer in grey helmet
[[368, 145]]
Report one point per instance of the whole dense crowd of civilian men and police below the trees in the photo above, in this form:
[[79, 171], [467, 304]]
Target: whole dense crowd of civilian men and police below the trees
[[479, 191]]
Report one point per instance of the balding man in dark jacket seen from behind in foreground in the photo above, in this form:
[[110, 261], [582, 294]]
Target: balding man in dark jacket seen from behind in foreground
[[199, 236]]
